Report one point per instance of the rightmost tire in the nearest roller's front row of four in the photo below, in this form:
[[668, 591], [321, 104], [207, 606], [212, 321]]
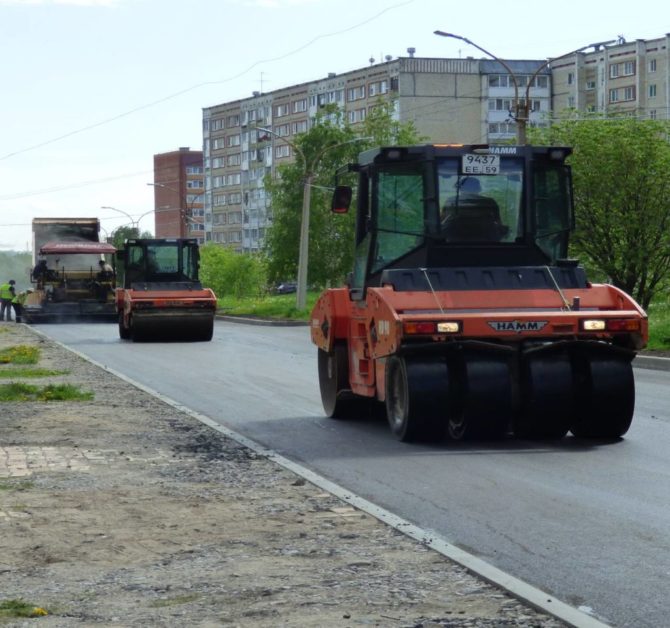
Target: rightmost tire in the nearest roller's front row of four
[[605, 395]]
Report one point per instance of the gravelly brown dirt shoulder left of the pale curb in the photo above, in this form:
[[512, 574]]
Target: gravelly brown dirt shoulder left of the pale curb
[[124, 511]]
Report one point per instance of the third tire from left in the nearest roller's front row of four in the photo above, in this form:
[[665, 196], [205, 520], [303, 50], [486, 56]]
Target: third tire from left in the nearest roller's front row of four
[[547, 396]]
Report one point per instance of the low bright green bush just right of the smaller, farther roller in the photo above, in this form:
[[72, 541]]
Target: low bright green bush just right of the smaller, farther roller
[[230, 273]]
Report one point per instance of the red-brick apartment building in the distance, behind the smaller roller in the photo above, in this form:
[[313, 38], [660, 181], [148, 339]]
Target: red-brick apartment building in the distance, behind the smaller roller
[[179, 193]]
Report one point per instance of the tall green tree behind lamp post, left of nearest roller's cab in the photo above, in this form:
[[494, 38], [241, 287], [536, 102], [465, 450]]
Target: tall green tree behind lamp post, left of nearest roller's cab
[[328, 145]]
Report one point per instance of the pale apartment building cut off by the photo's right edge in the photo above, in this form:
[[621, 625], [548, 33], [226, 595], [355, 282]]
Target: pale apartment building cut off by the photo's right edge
[[616, 77]]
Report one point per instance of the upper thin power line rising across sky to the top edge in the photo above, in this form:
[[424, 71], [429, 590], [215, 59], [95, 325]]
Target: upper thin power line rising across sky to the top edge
[[205, 83]]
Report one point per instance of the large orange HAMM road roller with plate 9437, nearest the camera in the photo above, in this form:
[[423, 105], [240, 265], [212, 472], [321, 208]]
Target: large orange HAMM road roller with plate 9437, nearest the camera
[[464, 315]]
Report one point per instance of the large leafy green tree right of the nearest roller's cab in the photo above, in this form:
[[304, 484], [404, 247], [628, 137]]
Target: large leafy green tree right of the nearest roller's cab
[[621, 176]]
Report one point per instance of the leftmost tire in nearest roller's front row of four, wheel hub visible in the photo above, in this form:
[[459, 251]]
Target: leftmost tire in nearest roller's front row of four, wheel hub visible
[[417, 398]]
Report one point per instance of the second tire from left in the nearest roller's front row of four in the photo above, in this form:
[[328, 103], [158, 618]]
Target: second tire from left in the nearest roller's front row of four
[[485, 406]]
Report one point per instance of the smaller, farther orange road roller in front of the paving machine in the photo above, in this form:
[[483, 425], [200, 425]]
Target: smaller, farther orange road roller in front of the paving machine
[[161, 297]]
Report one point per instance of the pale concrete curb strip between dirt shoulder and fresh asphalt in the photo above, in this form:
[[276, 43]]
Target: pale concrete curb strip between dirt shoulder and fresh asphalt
[[534, 597]]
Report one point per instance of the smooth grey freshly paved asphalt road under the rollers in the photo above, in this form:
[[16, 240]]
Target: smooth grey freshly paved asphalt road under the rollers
[[586, 522]]
